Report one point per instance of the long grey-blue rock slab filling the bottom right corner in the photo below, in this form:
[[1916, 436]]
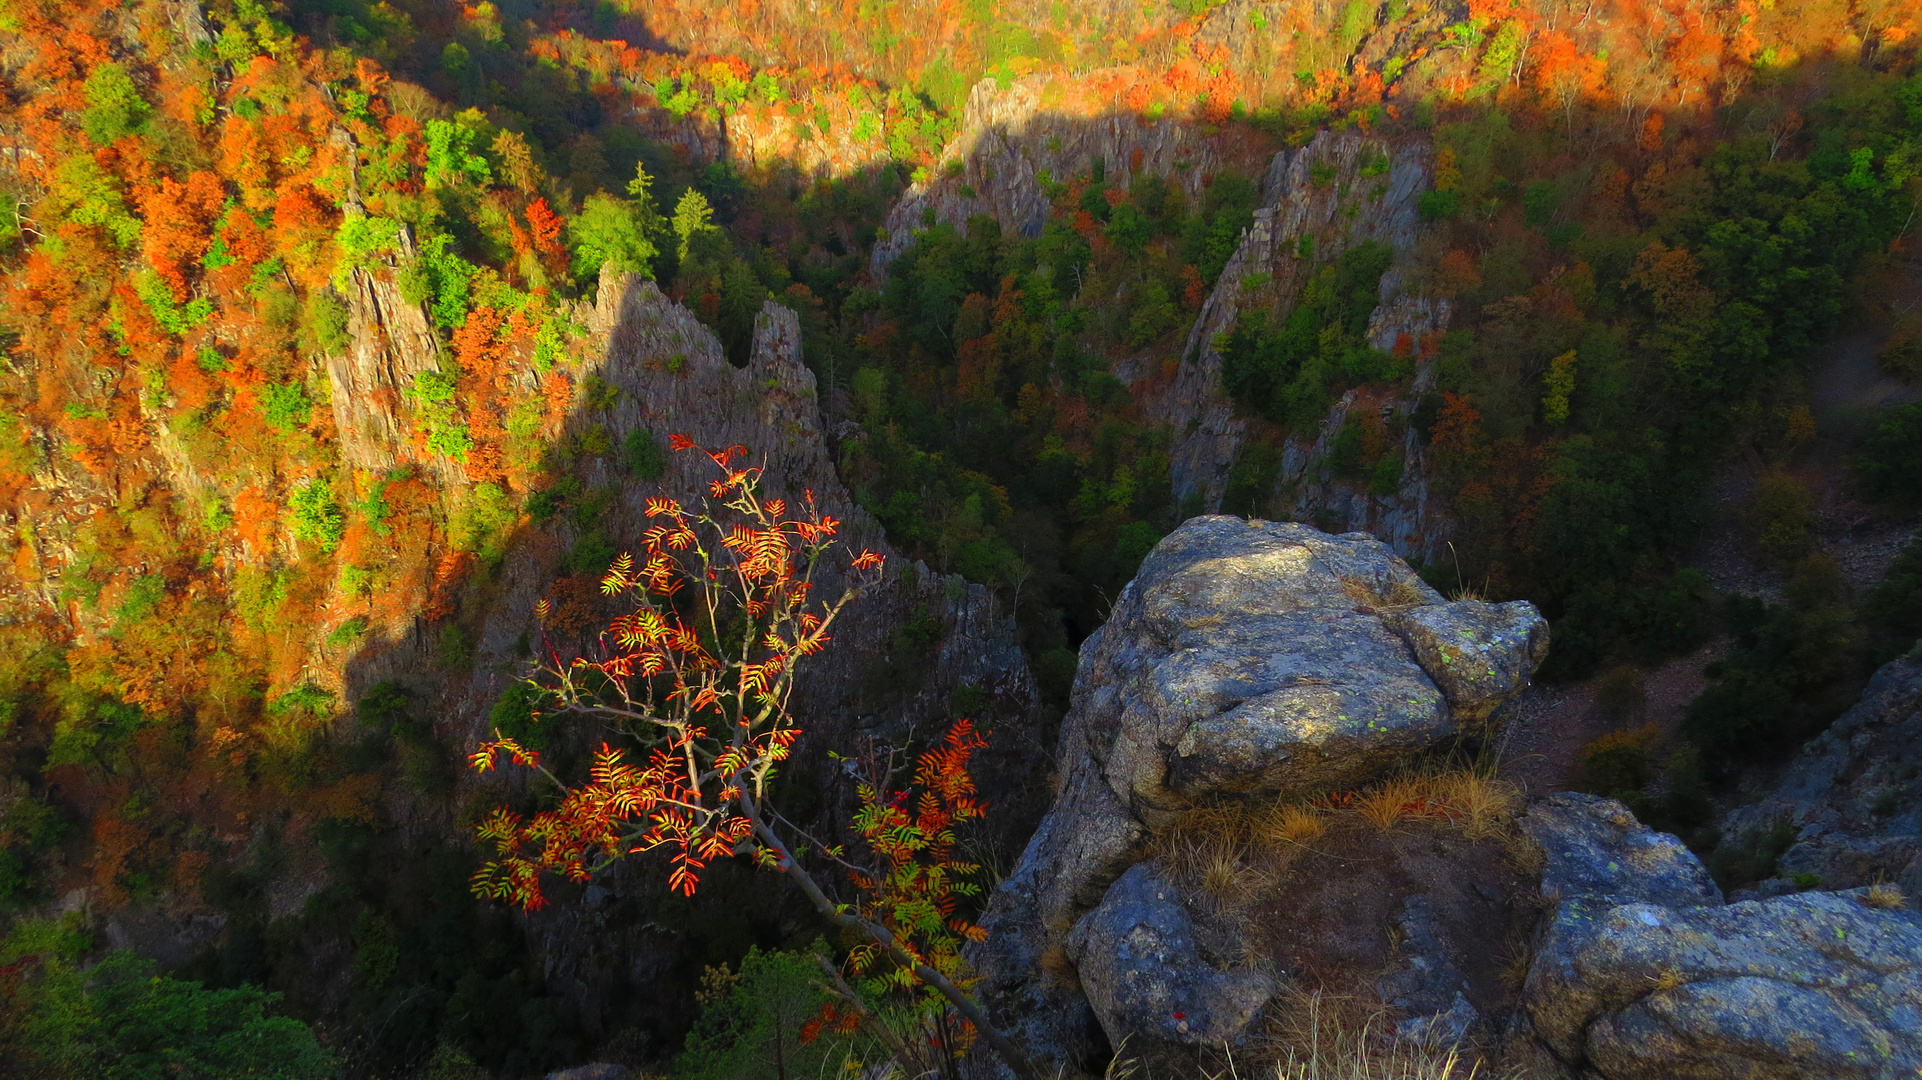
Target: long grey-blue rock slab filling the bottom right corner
[[1813, 985]]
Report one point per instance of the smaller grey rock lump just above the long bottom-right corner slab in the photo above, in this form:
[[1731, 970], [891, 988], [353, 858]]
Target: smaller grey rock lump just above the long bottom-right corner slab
[[1596, 848]]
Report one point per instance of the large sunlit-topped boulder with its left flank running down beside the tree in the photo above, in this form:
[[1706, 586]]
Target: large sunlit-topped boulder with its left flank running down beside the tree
[[1246, 658]]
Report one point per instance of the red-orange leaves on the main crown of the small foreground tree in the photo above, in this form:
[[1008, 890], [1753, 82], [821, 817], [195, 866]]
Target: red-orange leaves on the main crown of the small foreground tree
[[708, 702]]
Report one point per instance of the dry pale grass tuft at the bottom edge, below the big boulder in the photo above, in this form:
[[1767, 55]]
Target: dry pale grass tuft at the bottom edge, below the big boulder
[[1341, 1039]]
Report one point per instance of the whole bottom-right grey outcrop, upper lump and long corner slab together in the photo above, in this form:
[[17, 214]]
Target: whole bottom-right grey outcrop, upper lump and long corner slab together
[[1646, 975]]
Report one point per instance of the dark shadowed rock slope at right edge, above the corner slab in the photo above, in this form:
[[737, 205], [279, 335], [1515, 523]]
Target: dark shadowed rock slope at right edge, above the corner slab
[[1854, 795]]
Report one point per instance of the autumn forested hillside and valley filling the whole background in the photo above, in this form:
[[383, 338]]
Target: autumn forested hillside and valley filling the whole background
[[303, 403]]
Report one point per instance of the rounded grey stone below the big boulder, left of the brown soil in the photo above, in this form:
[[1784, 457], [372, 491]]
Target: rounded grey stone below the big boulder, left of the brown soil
[[1145, 975]]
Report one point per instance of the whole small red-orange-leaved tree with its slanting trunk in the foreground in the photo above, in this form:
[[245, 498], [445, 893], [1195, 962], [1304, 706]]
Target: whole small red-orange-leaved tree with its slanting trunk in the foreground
[[701, 672]]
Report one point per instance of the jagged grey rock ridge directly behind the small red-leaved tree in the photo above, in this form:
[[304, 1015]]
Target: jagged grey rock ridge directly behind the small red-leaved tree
[[672, 378]]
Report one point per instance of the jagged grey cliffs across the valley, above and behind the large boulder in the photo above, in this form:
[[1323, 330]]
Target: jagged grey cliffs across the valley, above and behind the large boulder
[[1319, 201]]
